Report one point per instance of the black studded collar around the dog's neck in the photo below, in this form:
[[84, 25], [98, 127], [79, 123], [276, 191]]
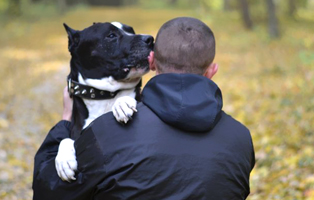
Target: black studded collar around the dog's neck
[[87, 92]]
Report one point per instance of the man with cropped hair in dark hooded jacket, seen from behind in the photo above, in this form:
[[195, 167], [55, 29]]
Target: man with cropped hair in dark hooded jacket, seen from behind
[[180, 144]]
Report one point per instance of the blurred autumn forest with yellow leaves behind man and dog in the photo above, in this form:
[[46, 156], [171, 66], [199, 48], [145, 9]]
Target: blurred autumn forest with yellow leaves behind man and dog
[[265, 50]]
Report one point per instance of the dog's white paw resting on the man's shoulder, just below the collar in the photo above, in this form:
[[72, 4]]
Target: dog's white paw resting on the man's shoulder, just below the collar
[[124, 108]]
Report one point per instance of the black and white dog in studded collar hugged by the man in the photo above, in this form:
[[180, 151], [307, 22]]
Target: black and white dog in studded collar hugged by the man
[[108, 61]]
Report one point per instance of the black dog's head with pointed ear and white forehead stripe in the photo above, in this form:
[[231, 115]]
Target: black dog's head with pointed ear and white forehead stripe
[[109, 49]]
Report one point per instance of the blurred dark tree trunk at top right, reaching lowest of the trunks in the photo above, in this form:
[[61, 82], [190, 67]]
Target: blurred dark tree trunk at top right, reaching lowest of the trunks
[[272, 19]]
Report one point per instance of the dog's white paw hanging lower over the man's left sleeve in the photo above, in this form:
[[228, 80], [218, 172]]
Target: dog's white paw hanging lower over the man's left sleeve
[[65, 162]]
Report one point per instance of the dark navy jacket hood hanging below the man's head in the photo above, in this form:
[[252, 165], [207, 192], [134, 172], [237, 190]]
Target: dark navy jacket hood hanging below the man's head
[[186, 101]]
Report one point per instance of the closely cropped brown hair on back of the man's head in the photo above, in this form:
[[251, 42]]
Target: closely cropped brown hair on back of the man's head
[[184, 45]]
